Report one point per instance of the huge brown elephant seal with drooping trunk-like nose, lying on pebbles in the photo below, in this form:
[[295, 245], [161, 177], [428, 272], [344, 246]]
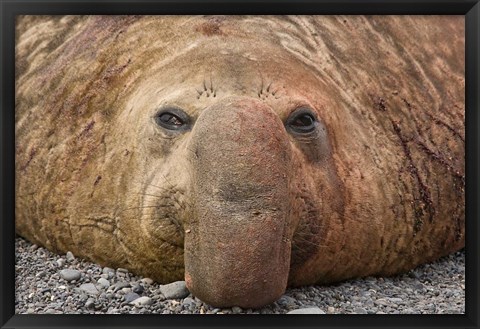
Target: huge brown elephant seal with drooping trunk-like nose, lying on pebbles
[[243, 154]]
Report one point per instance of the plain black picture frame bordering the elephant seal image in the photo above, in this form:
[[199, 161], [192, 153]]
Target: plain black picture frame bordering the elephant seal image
[[10, 8]]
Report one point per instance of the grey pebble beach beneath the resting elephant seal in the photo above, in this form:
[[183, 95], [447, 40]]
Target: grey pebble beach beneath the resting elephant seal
[[47, 283]]
